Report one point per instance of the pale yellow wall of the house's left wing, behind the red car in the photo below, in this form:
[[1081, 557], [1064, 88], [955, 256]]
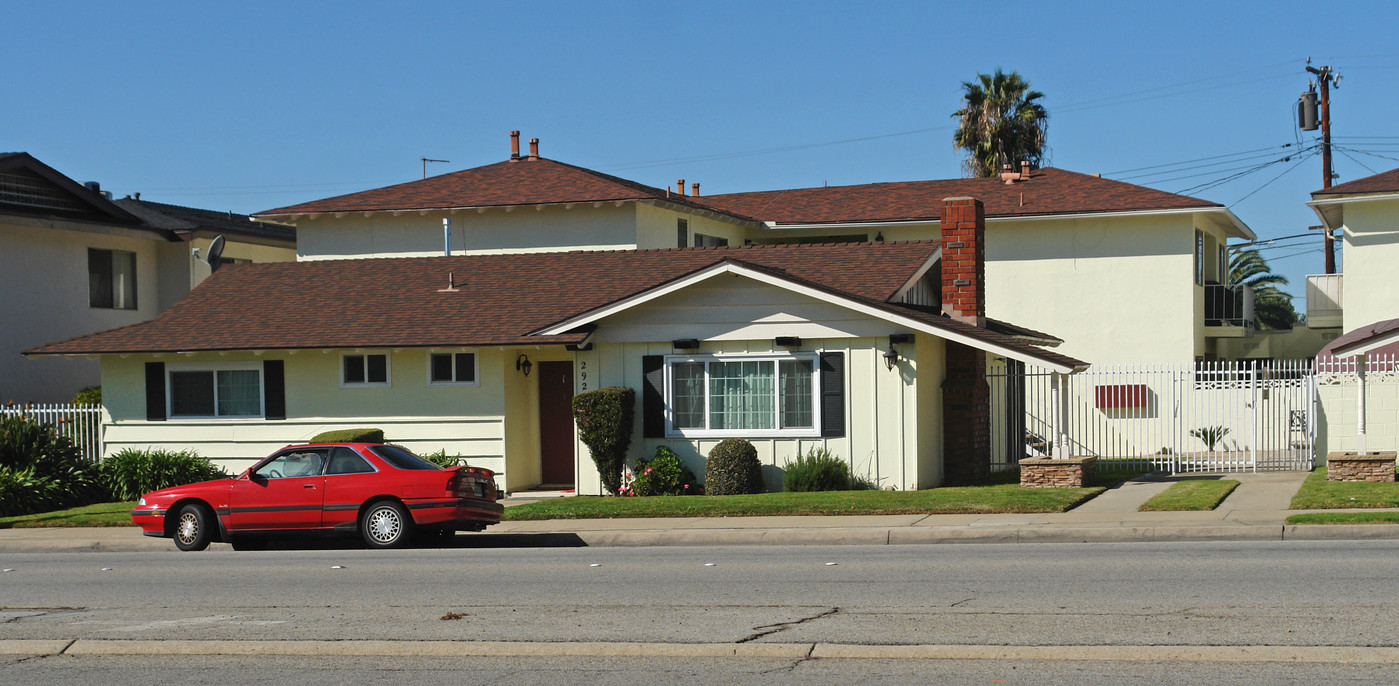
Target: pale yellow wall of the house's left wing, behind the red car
[[464, 421]]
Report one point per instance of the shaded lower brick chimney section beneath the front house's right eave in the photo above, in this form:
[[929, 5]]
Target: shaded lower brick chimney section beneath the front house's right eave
[[966, 416]]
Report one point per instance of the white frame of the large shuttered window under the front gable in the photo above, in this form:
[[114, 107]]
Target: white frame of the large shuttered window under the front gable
[[814, 432]]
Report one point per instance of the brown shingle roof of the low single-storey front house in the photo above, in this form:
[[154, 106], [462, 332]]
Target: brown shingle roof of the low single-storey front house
[[502, 299]]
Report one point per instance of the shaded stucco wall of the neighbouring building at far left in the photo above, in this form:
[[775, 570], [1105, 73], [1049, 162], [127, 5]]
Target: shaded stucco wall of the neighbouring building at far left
[[45, 274]]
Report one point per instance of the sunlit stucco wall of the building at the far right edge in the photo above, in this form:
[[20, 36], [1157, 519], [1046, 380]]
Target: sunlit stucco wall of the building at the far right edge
[[1372, 251]]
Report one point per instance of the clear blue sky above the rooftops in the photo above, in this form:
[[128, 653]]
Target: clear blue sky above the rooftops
[[254, 106]]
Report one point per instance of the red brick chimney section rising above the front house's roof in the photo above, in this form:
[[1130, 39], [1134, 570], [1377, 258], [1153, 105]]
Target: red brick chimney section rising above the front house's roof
[[965, 260]]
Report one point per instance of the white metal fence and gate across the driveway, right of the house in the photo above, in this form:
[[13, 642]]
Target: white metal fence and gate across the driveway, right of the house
[[1219, 416]]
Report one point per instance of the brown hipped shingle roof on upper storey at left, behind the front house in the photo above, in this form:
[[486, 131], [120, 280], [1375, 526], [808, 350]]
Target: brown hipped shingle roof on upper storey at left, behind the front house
[[504, 184]]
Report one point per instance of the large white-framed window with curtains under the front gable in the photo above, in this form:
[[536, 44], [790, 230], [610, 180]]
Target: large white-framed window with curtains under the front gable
[[742, 395]]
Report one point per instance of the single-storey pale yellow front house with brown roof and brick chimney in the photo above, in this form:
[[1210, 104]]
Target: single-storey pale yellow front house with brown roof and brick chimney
[[868, 349]]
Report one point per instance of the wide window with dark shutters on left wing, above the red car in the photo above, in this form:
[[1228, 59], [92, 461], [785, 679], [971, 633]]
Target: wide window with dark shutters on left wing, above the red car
[[216, 391]]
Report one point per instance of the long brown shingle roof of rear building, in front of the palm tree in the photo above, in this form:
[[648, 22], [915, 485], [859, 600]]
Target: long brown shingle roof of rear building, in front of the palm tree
[[1047, 191]]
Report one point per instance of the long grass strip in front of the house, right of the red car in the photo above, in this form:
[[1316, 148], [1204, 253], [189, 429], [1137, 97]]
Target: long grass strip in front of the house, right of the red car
[[1002, 498]]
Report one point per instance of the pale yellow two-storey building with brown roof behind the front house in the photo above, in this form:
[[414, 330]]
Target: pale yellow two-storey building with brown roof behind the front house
[[1123, 272]]
